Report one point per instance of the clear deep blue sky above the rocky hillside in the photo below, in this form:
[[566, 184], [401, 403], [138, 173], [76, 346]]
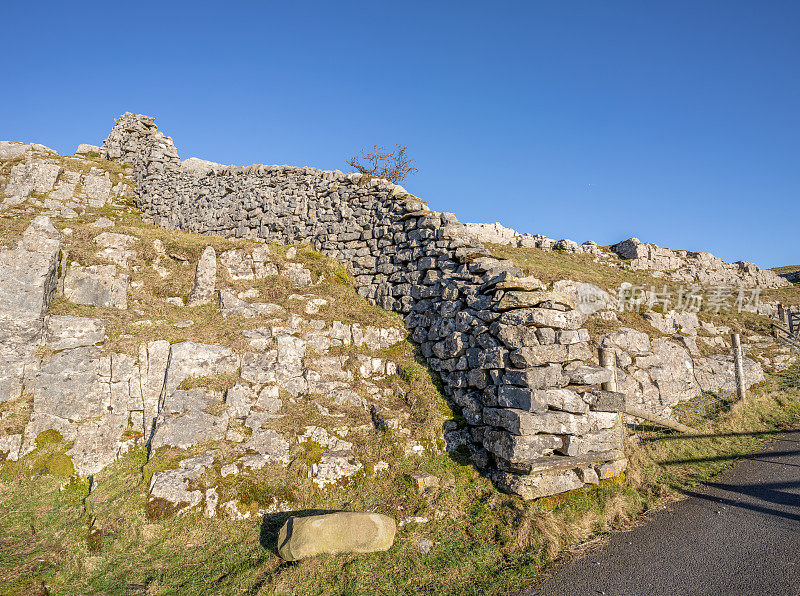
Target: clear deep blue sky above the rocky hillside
[[676, 122]]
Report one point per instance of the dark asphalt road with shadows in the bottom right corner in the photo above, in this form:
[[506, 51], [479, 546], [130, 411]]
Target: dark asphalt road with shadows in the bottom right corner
[[737, 535]]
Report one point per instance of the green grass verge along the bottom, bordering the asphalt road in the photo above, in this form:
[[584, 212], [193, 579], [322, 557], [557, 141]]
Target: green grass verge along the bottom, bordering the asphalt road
[[485, 542]]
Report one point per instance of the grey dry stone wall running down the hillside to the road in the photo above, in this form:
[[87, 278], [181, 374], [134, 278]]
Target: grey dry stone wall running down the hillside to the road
[[511, 353]]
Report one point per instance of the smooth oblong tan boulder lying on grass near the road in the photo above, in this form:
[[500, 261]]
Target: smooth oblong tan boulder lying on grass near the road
[[302, 537]]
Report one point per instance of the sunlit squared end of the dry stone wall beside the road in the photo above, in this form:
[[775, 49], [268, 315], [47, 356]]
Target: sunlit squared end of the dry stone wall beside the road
[[546, 421]]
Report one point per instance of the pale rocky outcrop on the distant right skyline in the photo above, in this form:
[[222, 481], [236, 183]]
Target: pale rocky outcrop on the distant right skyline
[[695, 267]]
